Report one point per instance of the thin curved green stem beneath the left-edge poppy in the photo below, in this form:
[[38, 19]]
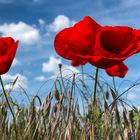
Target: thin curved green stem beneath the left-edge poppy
[[8, 103]]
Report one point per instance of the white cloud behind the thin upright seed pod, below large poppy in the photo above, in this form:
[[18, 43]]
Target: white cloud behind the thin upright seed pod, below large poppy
[[52, 66]]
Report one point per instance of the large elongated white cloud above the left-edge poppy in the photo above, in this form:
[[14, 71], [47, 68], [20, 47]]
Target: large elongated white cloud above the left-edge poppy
[[20, 31]]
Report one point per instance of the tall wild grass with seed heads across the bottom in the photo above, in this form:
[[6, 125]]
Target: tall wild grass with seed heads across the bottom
[[70, 111]]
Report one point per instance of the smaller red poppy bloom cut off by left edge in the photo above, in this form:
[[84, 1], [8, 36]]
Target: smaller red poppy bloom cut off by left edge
[[8, 49]]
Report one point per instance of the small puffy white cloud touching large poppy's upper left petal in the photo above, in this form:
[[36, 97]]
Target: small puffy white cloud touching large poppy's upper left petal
[[60, 22]]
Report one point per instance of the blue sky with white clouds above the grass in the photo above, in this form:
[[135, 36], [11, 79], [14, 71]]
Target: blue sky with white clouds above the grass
[[35, 22]]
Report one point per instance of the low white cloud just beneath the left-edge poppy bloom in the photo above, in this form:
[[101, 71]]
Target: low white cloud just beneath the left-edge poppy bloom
[[21, 81]]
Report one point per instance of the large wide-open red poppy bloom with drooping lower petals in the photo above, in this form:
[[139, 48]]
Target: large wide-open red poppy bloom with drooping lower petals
[[103, 46]]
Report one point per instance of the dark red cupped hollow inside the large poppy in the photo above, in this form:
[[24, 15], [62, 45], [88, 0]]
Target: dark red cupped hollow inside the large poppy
[[116, 39]]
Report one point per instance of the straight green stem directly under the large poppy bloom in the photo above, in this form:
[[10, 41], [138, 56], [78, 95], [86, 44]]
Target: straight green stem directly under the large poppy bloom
[[95, 86]]
